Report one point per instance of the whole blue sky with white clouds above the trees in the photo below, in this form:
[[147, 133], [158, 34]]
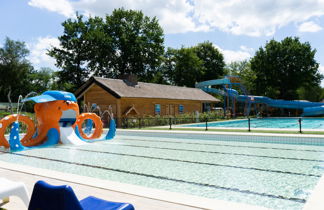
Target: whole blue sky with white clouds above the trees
[[238, 28]]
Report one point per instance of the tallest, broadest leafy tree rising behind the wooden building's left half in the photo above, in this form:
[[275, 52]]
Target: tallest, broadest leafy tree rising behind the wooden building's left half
[[125, 42]]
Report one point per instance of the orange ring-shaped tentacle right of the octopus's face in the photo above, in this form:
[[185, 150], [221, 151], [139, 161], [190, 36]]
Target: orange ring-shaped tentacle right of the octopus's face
[[97, 124]]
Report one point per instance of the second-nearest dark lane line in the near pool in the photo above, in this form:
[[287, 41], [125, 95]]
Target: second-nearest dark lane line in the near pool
[[193, 162]]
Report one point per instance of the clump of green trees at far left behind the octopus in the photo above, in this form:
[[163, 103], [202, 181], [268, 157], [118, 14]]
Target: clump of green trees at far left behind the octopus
[[18, 75]]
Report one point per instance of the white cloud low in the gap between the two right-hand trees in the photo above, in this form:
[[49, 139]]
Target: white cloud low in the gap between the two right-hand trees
[[240, 55]]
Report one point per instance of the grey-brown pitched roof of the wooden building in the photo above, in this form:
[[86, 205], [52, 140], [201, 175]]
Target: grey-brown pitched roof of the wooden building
[[121, 89]]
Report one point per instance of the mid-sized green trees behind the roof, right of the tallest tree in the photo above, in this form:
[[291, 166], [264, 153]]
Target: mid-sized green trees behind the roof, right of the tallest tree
[[186, 66]]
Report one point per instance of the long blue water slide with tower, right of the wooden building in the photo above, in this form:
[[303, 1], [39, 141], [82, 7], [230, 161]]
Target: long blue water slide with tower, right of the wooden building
[[231, 96]]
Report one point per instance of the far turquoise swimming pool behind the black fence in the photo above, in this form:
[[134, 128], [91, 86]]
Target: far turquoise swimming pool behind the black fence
[[278, 123]]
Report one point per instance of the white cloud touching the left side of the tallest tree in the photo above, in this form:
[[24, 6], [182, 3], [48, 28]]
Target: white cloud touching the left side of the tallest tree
[[38, 50]]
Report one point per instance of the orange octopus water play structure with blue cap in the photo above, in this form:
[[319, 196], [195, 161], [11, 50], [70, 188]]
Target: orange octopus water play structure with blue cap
[[58, 121]]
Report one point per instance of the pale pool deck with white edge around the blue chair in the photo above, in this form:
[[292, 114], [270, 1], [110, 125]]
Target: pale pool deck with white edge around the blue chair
[[141, 197]]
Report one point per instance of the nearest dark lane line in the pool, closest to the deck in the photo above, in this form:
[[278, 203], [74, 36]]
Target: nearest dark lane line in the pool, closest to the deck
[[293, 199]]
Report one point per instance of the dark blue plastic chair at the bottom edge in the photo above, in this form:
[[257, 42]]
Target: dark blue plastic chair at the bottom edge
[[49, 197]]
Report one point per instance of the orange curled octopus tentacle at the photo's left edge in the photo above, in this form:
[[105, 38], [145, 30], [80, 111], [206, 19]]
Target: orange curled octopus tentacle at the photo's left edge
[[8, 120]]
